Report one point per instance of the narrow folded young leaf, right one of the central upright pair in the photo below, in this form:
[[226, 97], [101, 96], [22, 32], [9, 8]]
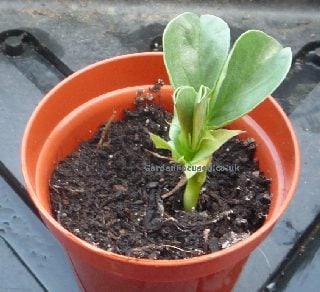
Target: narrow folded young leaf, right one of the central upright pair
[[200, 115]]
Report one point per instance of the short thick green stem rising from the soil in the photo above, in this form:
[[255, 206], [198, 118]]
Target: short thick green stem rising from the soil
[[192, 190]]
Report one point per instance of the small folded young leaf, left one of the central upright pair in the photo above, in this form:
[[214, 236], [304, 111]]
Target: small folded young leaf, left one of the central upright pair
[[184, 99]]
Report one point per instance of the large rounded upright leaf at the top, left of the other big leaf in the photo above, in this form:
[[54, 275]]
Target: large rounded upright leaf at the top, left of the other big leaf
[[195, 49]]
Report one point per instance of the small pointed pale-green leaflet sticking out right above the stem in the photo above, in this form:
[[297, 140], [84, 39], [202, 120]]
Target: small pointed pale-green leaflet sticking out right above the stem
[[212, 141]]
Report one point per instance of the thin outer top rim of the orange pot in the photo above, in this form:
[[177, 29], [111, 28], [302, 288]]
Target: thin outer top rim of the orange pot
[[261, 232]]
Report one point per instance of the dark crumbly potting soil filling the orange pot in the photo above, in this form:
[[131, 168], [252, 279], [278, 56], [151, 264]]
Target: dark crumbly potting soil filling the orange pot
[[110, 196]]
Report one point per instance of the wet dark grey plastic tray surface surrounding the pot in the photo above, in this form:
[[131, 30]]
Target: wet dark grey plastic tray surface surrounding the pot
[[79, 33]]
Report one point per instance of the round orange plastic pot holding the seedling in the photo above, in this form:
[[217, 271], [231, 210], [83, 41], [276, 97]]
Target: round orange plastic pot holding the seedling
[[74, 109]]
